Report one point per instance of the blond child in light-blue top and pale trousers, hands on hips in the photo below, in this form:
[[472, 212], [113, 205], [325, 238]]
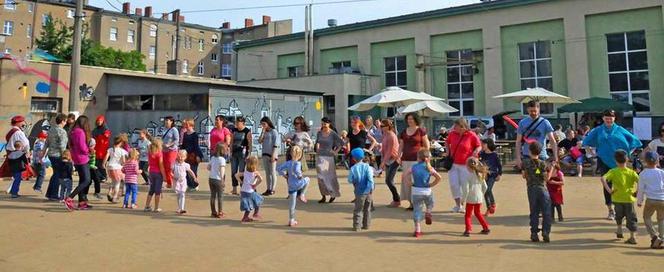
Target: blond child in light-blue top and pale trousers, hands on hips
[[297, 182]]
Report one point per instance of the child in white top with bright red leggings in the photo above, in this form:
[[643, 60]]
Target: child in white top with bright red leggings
[[473, 194]]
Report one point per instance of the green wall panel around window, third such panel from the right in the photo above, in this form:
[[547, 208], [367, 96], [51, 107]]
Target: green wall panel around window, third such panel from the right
[[457, 41]]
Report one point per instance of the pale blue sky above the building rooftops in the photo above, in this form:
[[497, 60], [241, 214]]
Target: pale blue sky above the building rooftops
[[345, 13]]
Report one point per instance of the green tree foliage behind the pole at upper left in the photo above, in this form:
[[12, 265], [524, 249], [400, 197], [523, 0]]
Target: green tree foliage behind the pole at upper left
[[56, 39]]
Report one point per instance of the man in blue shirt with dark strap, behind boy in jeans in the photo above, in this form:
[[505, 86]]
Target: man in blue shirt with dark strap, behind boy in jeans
[[534, 128]]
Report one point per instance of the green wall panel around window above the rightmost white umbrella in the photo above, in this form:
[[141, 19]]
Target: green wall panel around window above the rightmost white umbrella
[[511, 36]]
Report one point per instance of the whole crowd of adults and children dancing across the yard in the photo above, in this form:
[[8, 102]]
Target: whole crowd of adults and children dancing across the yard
[[370, 149]]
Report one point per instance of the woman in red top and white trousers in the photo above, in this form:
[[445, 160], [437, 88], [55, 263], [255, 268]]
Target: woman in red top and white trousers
[[462, 144]]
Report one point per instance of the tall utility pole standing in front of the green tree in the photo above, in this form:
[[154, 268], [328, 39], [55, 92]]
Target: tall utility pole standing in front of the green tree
[[76, 57]]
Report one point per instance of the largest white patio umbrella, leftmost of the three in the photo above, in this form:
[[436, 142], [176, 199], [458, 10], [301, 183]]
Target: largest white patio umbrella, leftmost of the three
[[392, 97]]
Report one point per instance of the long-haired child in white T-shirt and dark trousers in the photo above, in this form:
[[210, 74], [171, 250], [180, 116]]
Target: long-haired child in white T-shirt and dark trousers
[[217, 168]]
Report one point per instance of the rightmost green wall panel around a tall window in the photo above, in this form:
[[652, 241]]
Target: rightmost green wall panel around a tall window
[[597, 26]]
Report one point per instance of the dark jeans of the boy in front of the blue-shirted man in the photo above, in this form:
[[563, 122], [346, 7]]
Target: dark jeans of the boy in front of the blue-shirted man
[[540, 203]]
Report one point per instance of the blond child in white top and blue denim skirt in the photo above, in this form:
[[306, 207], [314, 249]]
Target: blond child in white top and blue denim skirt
[[249, 199]]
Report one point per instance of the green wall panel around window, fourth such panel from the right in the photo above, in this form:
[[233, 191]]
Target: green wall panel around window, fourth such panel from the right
[[382, 50]]
